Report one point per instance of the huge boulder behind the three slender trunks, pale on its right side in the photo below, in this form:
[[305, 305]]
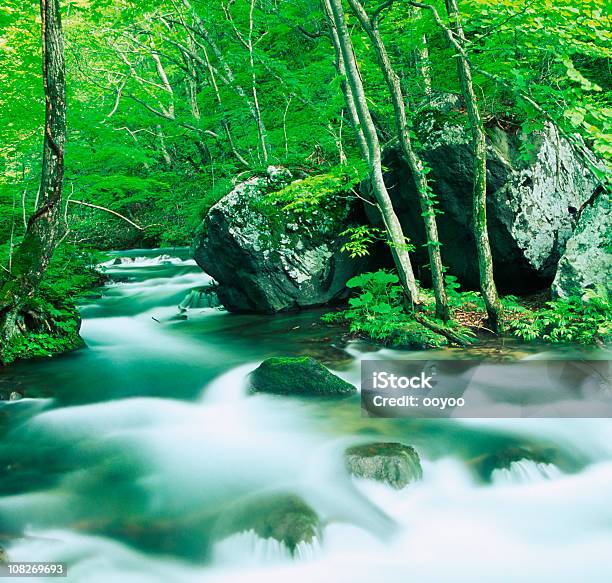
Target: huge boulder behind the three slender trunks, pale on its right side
[[537, 185]]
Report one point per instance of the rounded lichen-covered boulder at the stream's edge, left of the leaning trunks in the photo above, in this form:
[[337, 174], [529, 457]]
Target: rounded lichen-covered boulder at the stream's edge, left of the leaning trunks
[[266, 263]]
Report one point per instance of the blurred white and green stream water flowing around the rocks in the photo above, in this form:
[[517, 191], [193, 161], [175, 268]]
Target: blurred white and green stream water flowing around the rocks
[[123, 456]]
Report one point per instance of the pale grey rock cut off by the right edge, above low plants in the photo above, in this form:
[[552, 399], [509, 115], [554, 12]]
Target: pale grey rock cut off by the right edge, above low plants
[[586, 263]]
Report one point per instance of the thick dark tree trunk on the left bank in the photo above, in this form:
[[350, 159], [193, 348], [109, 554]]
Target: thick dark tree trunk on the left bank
[[45, 227]]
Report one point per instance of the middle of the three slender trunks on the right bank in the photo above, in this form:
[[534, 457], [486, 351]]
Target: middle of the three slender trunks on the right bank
[[415, 163]]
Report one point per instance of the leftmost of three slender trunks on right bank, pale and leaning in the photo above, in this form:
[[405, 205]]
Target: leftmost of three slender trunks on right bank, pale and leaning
[[368, 140]]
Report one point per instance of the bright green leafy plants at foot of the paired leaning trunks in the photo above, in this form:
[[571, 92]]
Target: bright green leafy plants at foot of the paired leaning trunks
[[377, 312]]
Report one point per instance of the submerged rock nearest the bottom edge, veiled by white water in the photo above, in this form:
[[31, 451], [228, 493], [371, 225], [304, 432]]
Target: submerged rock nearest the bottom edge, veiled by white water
[[284, 517]]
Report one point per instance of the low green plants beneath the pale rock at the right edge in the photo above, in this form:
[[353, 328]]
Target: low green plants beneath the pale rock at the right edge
[[585, 320]]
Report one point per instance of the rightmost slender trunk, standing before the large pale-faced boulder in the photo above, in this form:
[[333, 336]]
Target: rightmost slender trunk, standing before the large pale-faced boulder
[[479, 198]]
